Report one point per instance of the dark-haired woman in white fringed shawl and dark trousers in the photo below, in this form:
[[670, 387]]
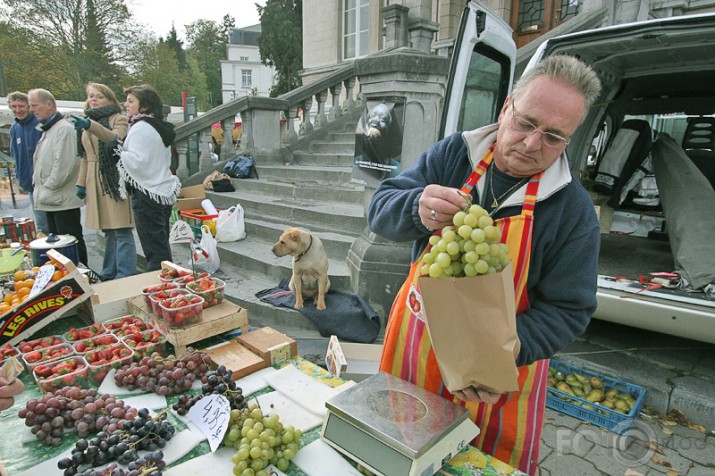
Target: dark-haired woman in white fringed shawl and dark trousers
[[144, 171]]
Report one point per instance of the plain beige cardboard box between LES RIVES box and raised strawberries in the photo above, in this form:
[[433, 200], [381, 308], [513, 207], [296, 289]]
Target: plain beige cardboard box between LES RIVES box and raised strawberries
[[109, 299]]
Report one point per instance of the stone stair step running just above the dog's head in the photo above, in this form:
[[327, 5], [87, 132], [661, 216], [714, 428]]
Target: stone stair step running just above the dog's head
[[316, 215]]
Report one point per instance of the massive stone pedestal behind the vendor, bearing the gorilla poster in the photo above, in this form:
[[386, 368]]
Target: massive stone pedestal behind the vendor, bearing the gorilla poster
[[378, 267]]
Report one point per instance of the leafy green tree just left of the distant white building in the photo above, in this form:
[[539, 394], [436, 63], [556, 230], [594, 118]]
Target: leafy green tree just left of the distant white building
[[208, 47]]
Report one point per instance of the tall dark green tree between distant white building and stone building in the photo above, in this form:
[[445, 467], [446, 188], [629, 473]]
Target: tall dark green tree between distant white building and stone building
[[281, 42]]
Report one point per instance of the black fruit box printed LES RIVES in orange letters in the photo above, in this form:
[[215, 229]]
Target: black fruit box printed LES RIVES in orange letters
[[47, 306]]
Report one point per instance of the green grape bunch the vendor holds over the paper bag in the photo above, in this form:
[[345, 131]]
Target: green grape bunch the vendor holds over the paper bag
[[470, 247]]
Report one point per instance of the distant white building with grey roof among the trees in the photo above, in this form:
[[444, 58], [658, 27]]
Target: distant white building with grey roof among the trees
[[242, 73]]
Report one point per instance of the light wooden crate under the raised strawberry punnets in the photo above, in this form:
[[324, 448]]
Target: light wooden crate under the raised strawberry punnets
[[215, 320]]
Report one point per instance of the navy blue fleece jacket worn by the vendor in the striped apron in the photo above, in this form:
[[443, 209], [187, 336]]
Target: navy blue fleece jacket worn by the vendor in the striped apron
[[562, 278]]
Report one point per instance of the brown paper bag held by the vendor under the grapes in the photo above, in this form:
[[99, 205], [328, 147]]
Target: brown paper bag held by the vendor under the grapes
[[472, 325]]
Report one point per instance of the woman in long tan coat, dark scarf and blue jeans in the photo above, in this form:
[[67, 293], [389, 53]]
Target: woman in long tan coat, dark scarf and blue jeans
[[98, 181]]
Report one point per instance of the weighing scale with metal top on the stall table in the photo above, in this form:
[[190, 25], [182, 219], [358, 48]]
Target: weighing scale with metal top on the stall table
[[395, 428]]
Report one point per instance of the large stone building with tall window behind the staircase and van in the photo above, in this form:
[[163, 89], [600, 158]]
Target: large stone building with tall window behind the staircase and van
[[339, 31]]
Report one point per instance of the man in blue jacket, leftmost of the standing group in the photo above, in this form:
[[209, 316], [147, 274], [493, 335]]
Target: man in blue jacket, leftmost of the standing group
[[23, 140]]
